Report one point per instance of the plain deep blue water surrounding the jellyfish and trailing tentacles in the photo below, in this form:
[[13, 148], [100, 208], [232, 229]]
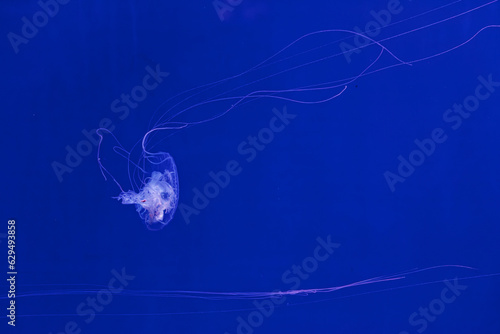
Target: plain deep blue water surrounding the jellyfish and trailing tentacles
[[322, 176]]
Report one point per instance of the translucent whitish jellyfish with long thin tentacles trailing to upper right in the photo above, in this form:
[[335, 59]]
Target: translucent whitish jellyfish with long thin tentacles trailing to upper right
[[152, 173]]
